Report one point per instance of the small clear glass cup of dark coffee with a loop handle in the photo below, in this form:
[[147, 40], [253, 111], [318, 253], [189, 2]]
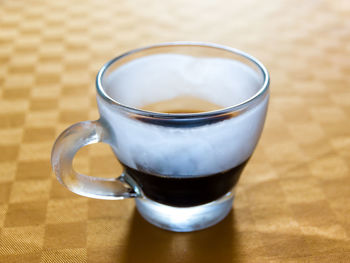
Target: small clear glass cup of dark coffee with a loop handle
[[181, 167]]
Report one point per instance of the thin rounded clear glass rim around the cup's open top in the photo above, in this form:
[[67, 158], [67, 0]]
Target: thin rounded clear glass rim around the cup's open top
[[236, 108]]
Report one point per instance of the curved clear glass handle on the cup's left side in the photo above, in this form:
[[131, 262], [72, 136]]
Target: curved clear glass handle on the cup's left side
[[63, 152]]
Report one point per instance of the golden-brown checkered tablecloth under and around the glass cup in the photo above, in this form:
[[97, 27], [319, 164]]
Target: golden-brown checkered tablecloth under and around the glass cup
[[292, 202]]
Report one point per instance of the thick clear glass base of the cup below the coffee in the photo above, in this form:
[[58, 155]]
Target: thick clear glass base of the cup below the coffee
[[187, 219]]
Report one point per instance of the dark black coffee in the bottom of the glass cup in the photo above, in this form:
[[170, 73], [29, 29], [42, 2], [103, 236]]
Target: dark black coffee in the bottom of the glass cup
[[188, 191]]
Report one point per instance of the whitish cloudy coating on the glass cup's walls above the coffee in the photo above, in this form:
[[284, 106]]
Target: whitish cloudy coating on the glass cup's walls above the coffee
[[183, 152]]
